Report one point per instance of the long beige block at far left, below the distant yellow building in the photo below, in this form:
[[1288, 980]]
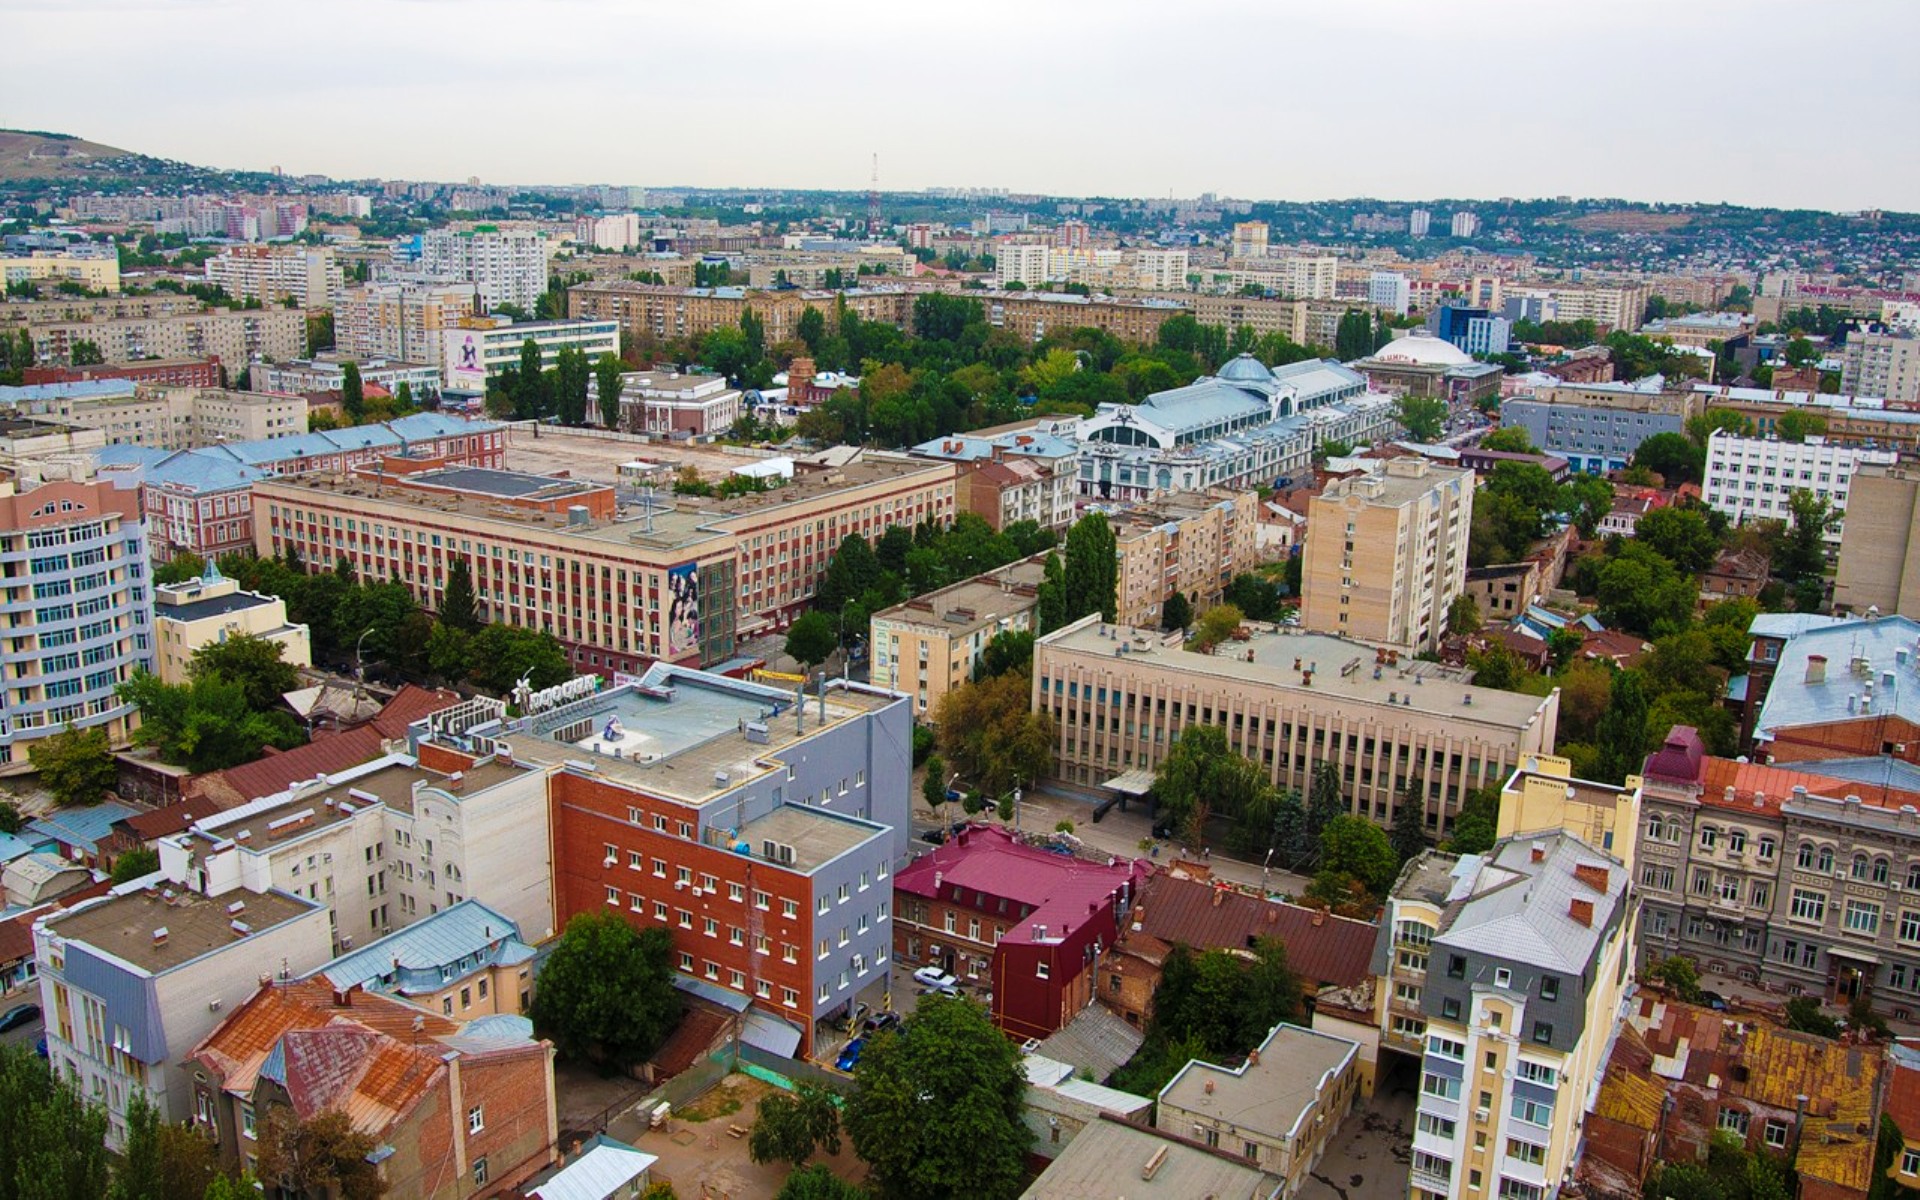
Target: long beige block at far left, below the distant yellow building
[[235, 337]]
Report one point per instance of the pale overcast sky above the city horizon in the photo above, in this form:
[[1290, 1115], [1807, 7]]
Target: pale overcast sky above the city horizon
[[1777, 103]]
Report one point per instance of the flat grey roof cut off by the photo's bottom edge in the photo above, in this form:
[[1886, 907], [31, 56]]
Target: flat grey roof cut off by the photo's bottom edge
[[1118, 1159]]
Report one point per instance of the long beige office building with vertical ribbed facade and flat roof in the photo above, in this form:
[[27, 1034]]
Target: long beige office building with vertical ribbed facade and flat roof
[[1289, 702]]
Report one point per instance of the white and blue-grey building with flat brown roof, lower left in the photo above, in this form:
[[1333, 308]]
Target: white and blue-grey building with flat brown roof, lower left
[[135, 980]]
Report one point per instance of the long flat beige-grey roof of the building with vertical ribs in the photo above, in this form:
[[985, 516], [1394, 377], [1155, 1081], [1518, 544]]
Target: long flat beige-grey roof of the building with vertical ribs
[[1343, 671]]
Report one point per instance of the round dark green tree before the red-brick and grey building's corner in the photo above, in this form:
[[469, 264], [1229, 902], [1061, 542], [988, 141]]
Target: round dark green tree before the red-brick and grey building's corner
[[608, 994]]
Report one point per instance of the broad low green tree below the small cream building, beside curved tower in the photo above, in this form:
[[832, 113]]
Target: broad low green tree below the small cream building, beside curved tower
[[204, 725]]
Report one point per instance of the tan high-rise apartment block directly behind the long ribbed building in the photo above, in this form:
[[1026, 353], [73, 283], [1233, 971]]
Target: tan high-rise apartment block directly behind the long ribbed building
[[1387, 554]]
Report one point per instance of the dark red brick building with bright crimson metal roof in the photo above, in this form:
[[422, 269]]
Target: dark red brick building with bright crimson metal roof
[[1030, 921]]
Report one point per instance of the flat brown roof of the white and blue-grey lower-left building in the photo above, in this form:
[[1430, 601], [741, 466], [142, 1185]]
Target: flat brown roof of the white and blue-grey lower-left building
[[126, 926]]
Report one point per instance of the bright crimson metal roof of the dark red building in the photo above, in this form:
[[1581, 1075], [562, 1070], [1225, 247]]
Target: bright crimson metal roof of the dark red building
[[1057, 890]]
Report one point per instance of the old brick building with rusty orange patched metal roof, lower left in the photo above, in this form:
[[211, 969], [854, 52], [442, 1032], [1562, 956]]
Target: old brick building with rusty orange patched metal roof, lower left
[[458, 1109]]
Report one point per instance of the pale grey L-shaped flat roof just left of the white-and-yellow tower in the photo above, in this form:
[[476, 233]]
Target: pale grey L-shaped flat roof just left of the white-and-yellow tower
[[1280, 1084]]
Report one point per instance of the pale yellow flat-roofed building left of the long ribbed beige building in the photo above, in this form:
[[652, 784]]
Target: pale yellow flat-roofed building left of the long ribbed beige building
[[932, 644]]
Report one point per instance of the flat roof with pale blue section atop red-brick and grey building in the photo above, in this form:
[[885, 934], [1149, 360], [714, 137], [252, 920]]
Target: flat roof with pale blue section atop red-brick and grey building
[[686, 736]]
